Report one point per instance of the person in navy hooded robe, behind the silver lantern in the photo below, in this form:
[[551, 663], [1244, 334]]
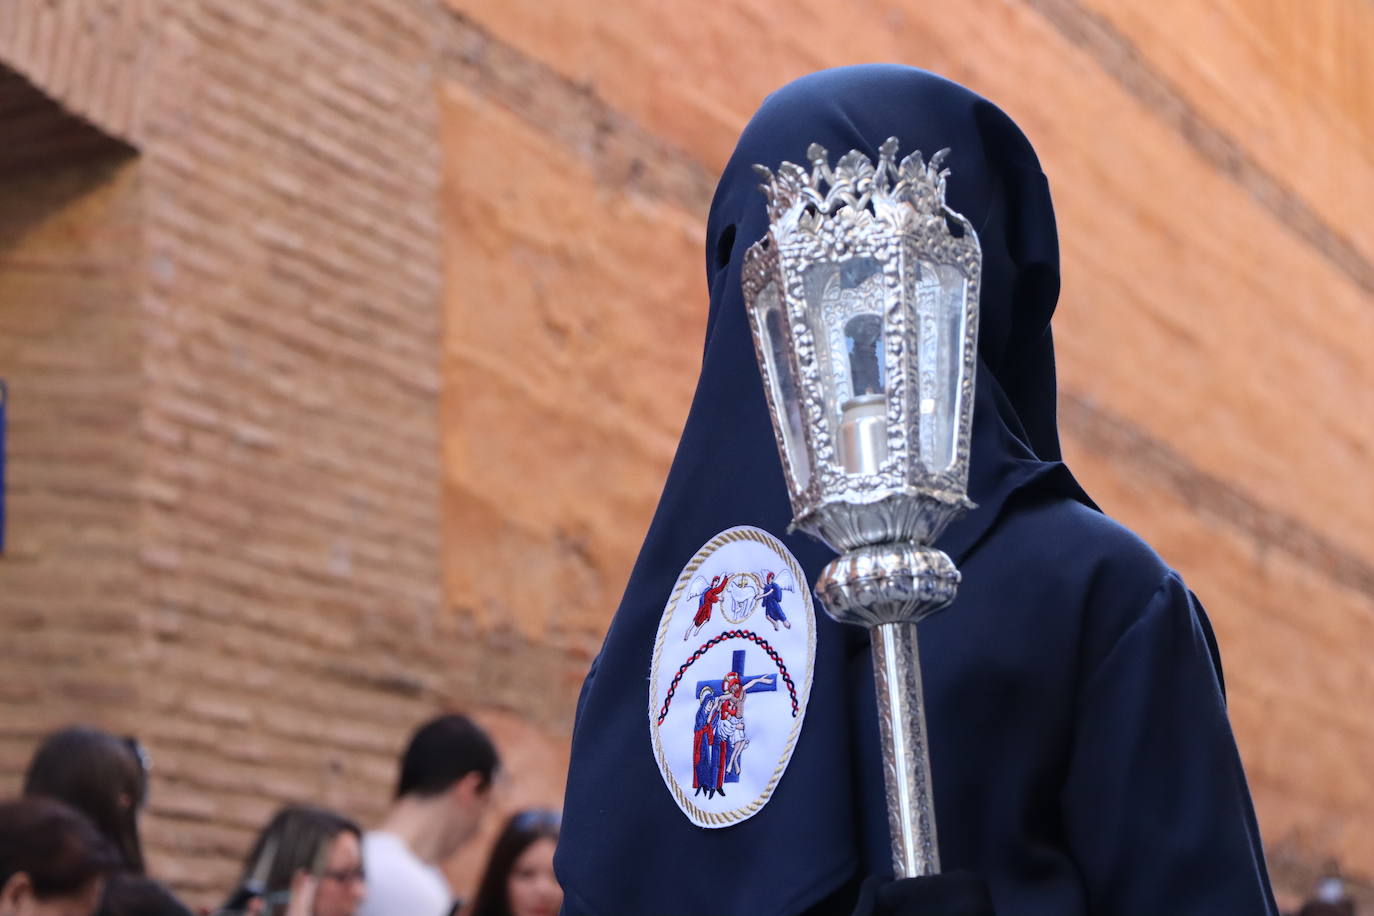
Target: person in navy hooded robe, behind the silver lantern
[[1082, 759]]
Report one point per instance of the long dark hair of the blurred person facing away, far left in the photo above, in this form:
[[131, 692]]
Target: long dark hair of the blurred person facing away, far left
[[102, 777]]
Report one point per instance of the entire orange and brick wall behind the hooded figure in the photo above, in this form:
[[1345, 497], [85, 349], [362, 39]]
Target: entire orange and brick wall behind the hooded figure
[[401, 409]]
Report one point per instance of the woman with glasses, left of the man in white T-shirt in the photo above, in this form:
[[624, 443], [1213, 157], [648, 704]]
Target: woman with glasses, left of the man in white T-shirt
[[307, 862]]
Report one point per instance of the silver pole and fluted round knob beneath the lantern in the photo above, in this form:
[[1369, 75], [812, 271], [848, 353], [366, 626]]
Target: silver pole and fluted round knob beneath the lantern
[[888, 588]]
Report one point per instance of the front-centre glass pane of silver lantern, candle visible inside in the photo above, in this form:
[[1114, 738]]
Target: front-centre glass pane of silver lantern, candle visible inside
[[847, 311]]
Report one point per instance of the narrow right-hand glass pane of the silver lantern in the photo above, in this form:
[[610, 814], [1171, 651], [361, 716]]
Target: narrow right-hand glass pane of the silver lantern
[[941, 318]]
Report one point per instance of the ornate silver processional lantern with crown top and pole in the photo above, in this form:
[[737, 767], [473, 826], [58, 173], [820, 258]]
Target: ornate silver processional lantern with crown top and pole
[[864, 303]]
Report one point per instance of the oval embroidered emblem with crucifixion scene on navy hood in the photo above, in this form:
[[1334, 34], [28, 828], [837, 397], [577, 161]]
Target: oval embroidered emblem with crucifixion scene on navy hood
[[732, 676]]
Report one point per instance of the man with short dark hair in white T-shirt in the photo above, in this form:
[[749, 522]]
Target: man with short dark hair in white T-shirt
[[442, 796]]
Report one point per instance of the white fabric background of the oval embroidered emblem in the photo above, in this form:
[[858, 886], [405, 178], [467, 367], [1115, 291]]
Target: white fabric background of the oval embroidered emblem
[[770, 724]]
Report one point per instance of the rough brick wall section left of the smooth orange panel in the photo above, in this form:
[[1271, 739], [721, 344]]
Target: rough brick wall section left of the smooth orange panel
[[281, 554]]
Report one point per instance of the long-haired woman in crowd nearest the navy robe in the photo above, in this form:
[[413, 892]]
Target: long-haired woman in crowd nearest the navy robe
[[520, 874]]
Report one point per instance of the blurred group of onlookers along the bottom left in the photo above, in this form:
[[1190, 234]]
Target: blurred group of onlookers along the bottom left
[[71, 847]]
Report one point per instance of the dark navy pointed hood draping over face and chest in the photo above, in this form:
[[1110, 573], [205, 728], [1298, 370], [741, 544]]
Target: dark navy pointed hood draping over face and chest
[[626, 847]]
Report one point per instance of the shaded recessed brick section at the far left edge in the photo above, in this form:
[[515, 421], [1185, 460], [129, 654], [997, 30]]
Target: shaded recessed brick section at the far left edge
[[69, 244]]
